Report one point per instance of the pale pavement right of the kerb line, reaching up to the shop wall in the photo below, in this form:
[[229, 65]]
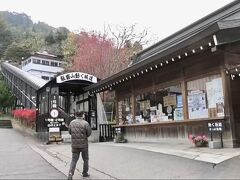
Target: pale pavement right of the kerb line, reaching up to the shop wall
[[143, 160]]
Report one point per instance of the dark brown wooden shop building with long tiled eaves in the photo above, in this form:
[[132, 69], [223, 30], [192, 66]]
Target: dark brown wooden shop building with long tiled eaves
[[179, 85]]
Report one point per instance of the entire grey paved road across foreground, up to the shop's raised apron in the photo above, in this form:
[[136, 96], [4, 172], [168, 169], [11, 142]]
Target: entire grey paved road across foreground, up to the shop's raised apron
[[106, 162]]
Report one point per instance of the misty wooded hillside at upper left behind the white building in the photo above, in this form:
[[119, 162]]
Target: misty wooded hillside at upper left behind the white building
[[20, 36]]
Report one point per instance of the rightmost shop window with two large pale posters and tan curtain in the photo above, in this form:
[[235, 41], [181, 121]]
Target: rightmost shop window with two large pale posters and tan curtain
[[205, 97]]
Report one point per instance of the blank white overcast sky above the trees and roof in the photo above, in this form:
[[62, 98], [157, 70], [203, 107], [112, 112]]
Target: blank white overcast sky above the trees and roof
[[160, 17]]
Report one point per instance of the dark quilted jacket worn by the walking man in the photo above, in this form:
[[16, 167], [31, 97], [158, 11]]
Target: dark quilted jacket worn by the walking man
[[80, 130]]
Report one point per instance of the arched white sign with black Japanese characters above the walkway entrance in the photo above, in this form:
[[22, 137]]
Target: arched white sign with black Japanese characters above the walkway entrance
[[76, 76]]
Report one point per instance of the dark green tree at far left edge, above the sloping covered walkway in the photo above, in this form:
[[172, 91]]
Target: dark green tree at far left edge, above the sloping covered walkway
[[5, 37]]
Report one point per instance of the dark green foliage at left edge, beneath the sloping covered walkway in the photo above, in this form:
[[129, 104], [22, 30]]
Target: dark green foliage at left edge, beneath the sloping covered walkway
[[6, 98]]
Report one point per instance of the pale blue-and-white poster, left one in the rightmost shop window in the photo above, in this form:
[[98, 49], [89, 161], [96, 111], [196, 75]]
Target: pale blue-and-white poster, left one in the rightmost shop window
[[197, 107]]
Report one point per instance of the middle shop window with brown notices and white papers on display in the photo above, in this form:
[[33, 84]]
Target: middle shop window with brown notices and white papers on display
[[163, 105]]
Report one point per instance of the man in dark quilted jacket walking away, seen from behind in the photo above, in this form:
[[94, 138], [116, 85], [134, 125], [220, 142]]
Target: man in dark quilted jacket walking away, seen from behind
[[80, 130]]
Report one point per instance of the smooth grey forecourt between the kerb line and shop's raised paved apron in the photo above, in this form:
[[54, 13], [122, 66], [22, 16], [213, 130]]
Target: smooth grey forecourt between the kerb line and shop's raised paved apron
[[129, 163]]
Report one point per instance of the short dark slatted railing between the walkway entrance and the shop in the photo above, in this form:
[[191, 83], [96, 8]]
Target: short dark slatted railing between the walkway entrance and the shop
[[107, 132]]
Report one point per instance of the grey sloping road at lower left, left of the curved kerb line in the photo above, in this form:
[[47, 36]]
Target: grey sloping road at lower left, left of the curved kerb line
[[19, 161]]
